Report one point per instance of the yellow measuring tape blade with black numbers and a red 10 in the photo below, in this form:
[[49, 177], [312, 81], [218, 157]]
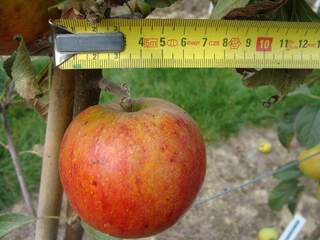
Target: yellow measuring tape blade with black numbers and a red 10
[[186, 43]]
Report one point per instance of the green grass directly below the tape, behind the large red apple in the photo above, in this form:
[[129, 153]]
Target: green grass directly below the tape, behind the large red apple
[[215, 98]]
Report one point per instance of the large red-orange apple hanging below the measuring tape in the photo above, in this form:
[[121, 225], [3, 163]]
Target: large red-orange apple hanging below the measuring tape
[[132, 174]]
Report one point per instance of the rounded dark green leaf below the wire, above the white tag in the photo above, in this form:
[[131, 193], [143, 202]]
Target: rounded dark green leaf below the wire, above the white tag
[[283, 193]]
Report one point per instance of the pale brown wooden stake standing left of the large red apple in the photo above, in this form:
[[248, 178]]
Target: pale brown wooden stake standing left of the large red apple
[[59, 116]]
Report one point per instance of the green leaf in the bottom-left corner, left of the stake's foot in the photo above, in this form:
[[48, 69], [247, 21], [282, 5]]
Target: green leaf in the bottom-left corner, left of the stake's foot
[[13, 221]]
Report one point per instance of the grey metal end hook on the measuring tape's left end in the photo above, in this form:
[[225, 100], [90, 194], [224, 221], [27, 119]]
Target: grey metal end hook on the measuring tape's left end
[[67, 44]]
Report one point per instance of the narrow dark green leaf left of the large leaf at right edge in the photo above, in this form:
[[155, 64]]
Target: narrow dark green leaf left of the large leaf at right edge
[[286, 128]]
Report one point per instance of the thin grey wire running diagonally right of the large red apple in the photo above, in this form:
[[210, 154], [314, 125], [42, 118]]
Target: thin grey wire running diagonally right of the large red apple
[[251, 181]]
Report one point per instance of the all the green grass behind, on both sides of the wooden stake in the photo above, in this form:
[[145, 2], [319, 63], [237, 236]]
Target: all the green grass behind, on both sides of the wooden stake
[[215, 98]]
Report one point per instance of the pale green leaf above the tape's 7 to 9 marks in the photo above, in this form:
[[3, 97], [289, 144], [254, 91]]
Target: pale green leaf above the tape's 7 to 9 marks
[[223, 7]]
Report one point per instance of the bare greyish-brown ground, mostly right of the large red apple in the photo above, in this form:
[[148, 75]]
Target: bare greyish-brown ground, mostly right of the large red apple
[[238, 215]]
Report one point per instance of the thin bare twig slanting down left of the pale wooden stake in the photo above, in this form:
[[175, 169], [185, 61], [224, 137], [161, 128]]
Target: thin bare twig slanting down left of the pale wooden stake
[[14, 156]]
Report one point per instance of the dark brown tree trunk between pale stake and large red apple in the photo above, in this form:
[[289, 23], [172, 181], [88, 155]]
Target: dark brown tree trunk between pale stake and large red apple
[[87, 93]]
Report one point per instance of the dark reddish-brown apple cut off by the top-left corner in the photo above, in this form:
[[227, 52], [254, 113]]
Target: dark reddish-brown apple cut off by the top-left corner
[[28, 18]]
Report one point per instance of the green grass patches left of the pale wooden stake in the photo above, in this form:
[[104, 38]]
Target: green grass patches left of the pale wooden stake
[[28, 129]]
